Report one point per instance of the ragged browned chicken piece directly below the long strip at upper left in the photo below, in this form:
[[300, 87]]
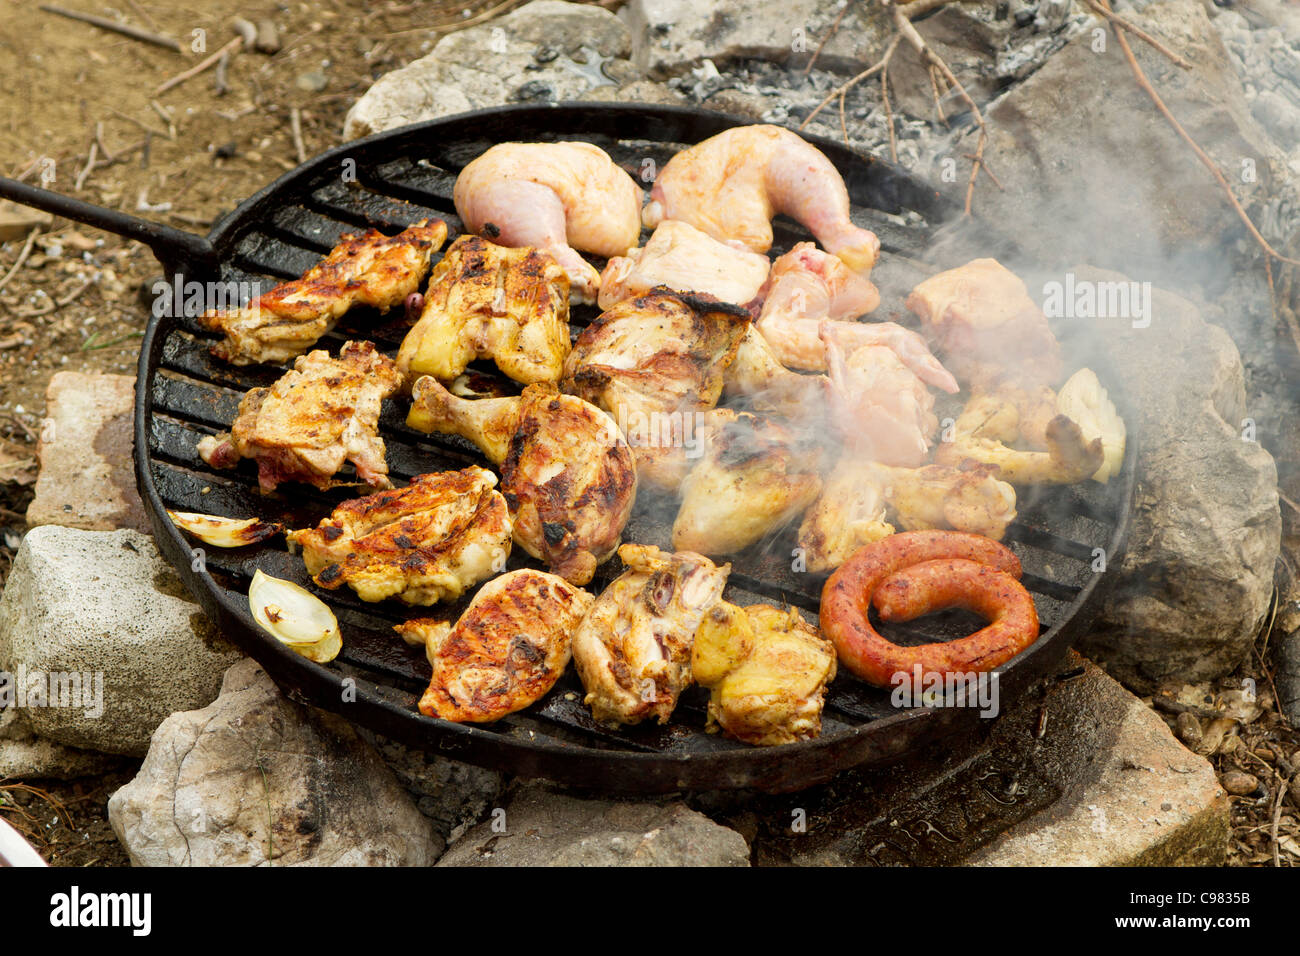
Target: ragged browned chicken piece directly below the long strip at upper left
[[323, 413]]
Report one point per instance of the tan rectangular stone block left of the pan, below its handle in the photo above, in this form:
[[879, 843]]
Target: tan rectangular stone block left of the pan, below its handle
[[86, 474]]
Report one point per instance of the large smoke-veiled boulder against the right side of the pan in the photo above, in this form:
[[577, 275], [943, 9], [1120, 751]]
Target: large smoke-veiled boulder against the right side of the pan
[[1198, 576]]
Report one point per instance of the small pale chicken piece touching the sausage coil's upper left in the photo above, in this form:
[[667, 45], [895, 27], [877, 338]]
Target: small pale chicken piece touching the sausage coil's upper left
[[850, 513]]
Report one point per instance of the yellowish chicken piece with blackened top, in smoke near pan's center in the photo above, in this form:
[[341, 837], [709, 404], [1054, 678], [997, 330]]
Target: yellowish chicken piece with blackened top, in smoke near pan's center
[[749, 483]]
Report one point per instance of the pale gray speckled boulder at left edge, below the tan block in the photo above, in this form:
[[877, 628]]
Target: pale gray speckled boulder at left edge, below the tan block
[[106, 608]]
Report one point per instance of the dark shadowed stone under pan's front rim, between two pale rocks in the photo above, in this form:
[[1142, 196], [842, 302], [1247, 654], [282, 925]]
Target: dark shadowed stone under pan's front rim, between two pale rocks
[[453, 795]]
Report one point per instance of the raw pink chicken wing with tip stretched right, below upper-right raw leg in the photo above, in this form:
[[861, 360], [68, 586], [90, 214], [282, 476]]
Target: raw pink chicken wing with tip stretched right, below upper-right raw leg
[[807, 288]]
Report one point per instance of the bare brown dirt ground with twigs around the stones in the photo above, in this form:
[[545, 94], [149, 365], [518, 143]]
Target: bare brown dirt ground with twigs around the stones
[[70, 300]]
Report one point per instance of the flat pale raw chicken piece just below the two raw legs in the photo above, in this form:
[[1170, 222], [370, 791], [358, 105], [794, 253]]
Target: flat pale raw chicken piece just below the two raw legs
[[684, 259]]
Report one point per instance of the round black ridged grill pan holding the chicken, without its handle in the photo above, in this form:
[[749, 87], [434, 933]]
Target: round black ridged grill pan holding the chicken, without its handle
[[393, 179]]
